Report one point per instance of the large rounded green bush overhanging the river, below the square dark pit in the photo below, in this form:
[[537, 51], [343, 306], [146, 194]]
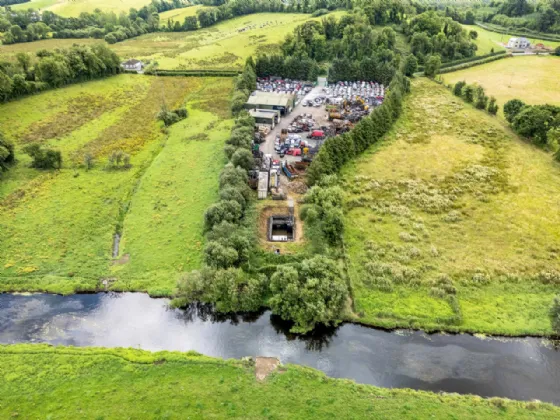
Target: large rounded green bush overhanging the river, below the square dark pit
[[308, 293]]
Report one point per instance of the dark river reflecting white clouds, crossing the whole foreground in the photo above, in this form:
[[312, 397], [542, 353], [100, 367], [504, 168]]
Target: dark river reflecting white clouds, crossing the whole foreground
[[521, 369]]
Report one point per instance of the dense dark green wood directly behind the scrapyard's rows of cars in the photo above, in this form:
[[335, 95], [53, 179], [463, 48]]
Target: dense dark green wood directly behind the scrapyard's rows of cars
[[354, 48]]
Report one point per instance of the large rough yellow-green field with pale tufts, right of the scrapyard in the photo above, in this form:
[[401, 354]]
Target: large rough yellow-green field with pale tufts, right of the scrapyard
[[444, 203]]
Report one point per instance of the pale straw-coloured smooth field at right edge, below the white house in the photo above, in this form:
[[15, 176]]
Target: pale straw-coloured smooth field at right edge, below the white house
[[533, 79]]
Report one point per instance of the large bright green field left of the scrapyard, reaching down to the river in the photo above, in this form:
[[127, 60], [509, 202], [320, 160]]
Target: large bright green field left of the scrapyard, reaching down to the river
[[58, 226]]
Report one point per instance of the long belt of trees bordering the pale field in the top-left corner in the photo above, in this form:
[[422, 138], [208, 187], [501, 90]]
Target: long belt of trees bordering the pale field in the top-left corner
[[30, 25]]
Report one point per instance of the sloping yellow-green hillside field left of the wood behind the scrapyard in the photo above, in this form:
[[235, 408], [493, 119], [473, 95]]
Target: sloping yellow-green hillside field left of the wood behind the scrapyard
[[221, 46]]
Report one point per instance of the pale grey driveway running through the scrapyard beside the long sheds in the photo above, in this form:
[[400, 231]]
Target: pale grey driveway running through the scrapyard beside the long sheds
[[319, 115]]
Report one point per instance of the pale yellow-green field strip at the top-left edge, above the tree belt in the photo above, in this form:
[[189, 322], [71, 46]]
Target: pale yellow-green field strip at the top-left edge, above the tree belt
[[73, 8]]
